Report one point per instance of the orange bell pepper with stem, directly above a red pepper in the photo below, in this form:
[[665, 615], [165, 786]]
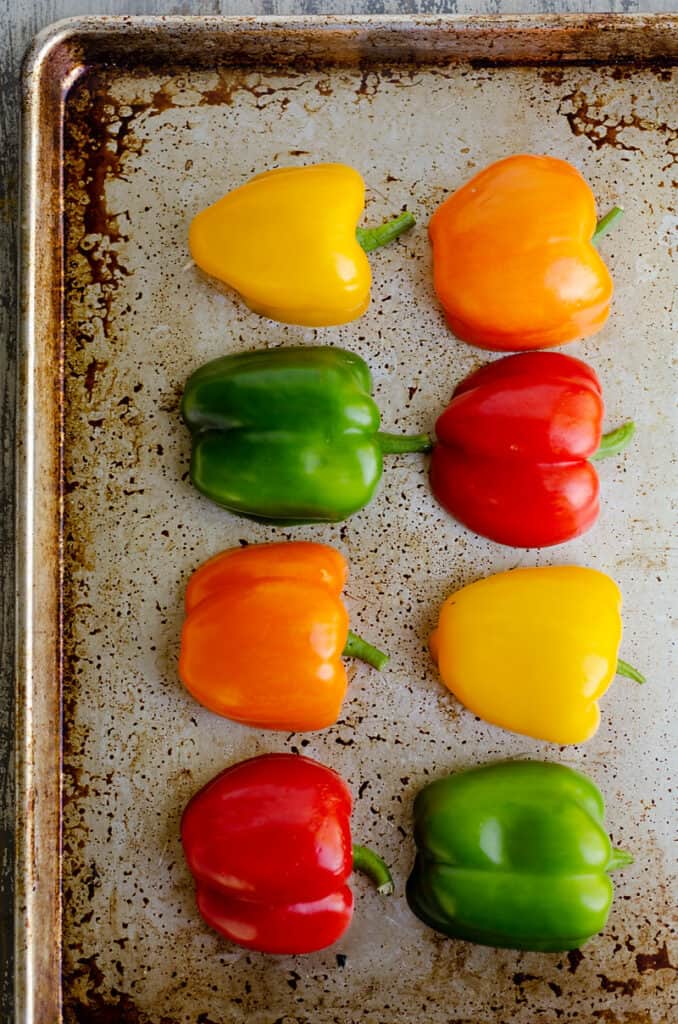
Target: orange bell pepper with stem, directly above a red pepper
[[265, 633]]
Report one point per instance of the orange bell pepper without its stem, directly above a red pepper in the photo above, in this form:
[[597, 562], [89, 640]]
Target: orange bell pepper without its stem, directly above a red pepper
[[514, 263]]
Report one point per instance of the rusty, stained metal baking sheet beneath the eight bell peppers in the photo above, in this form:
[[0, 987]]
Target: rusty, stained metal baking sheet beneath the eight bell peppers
[[132, 127]]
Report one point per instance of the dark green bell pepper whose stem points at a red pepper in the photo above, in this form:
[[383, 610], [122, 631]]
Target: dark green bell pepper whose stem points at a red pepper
[[288, 435]]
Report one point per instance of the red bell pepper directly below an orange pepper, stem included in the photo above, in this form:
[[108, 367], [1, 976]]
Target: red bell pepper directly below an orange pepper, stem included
[[513, 460]]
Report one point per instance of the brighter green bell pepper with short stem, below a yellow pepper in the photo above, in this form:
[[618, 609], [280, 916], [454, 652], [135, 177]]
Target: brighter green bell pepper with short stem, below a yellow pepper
[[515, 856]]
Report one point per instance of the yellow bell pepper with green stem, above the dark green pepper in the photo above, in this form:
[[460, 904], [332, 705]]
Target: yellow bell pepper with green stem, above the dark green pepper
[[288, 241]]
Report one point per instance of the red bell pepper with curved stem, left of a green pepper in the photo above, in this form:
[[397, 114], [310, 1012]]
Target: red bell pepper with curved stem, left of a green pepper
[[269, 844]]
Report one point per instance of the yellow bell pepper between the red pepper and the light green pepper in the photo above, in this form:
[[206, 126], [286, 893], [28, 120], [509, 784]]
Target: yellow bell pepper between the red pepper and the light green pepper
[[532, 651]]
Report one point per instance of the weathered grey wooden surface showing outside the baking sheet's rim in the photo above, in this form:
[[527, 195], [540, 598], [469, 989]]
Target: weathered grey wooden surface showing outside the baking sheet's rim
[[20, 20]]
